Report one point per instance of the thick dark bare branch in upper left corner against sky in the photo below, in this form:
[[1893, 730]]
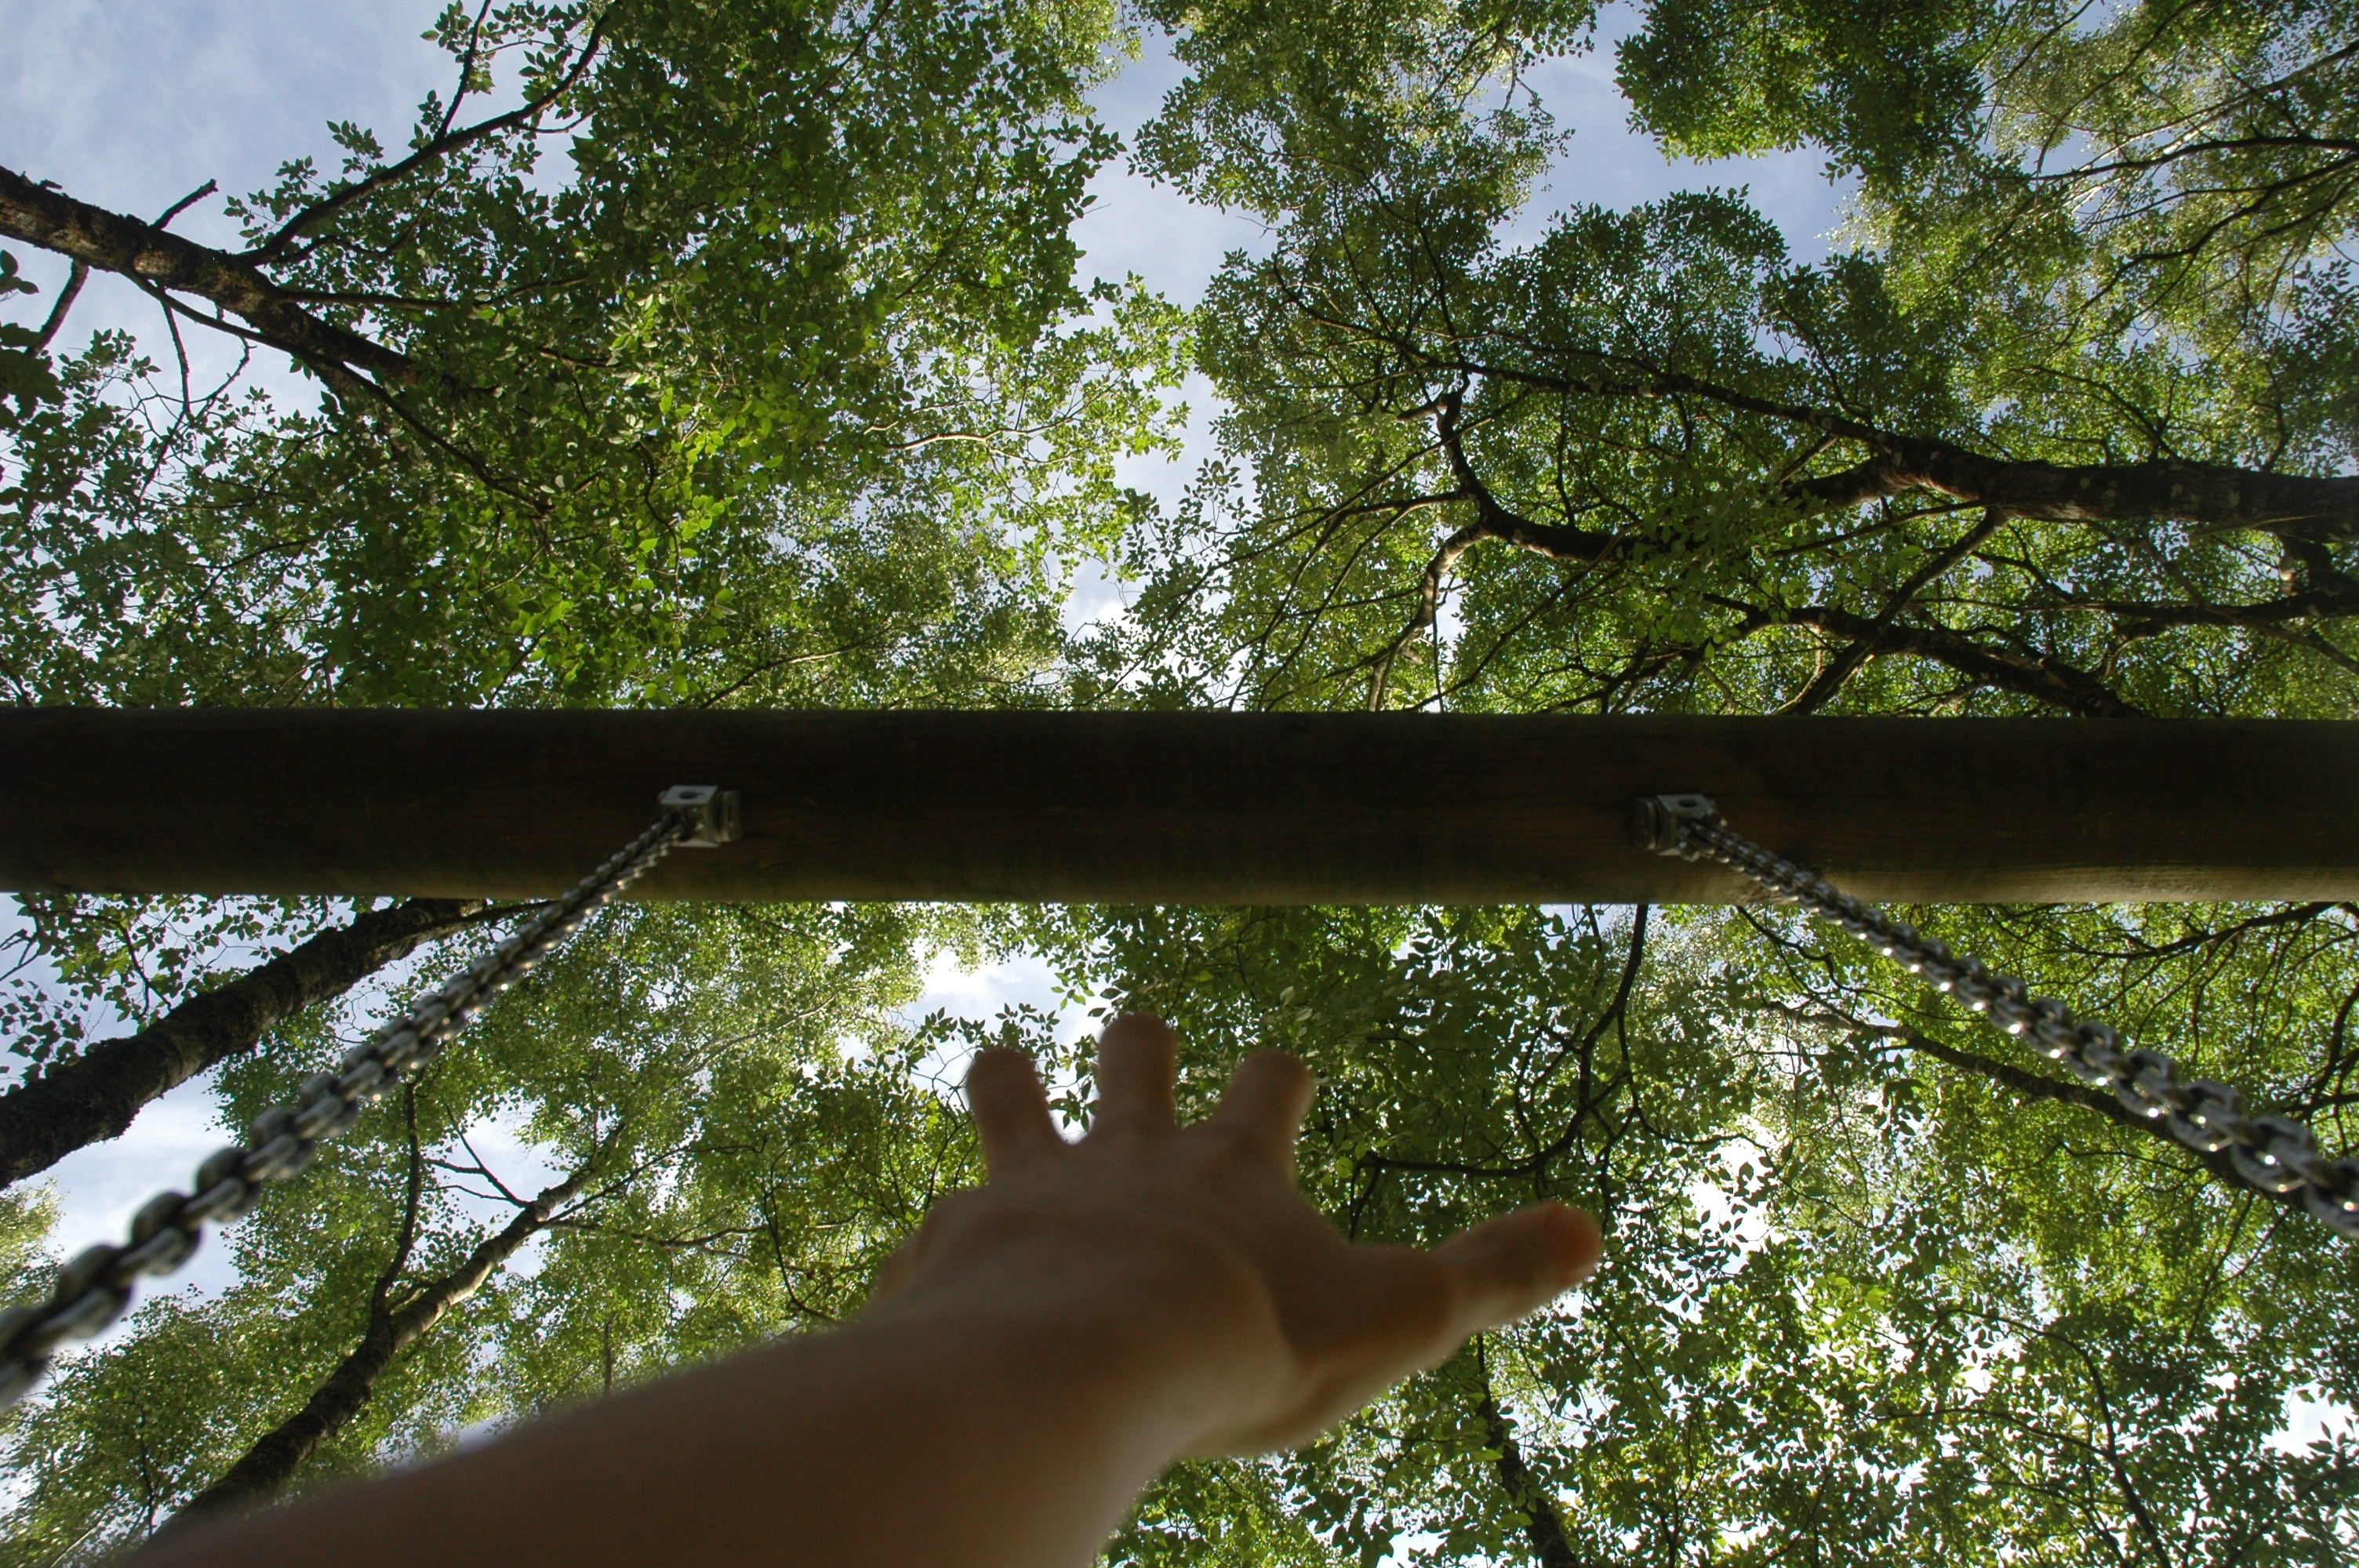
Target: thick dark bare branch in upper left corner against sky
[[157, 258]]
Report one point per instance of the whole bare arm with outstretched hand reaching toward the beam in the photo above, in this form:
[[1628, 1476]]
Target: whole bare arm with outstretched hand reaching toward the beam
[[1037, 1355]]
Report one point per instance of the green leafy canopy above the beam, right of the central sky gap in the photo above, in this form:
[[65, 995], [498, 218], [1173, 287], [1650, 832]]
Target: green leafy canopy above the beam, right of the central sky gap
[[1645, 459]]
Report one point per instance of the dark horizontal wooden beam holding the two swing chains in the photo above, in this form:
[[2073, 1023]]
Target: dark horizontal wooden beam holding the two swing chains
[[1171, 808]]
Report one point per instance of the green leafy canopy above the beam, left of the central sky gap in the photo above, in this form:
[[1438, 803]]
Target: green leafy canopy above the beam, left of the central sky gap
[[784, 381]]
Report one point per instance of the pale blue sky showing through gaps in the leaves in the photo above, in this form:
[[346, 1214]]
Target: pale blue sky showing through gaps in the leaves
[[138, 105]]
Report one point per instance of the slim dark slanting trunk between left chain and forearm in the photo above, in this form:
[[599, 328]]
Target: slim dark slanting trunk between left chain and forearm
[[280, 1454]]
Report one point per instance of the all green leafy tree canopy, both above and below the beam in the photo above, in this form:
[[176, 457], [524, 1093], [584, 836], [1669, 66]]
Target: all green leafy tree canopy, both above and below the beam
[[742, 360]]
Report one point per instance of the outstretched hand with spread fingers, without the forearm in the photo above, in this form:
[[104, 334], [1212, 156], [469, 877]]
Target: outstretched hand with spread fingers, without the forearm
[[1200, 1241]]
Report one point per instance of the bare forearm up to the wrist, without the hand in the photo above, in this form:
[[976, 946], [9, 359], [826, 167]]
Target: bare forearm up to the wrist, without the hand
[[973, 1437]]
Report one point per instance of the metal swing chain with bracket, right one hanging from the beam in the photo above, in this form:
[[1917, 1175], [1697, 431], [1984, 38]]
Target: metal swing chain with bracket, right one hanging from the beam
[[2268, 1154]]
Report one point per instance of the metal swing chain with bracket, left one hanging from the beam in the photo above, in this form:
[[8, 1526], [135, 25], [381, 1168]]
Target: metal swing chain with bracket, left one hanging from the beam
[[96, 1289]]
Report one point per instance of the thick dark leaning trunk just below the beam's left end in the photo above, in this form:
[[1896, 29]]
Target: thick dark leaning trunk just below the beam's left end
[[98, 1095]]
